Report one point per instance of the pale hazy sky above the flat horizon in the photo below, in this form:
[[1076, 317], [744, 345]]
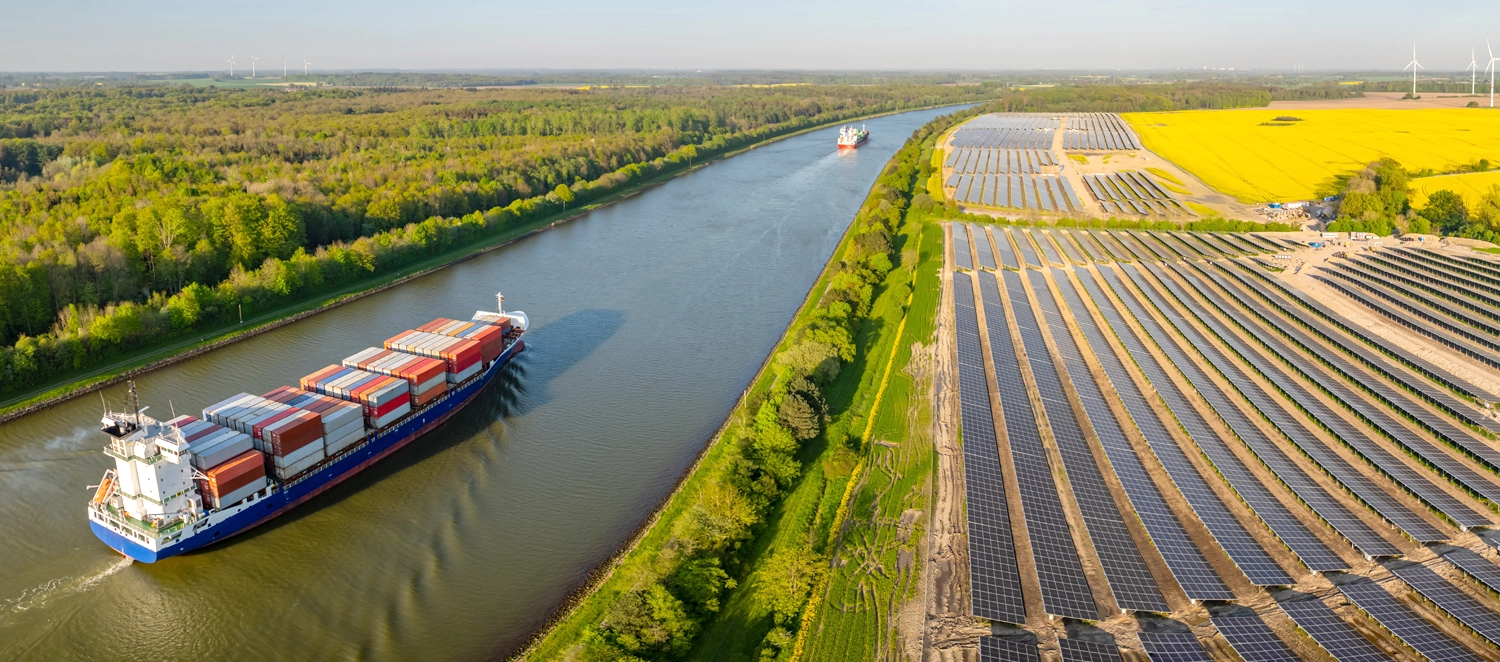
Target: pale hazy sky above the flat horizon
[[179, 35]]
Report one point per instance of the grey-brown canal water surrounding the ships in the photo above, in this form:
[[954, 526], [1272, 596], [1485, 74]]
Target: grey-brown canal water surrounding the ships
[[649, 317]]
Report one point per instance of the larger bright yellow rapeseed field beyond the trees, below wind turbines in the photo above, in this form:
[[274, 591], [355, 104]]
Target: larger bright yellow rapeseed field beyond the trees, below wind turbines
[[1247, 154]]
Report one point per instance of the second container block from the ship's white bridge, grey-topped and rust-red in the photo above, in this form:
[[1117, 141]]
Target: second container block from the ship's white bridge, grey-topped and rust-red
[[292, 438]]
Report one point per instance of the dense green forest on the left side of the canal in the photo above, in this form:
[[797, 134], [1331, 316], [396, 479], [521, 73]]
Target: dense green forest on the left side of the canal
[[130, 215]]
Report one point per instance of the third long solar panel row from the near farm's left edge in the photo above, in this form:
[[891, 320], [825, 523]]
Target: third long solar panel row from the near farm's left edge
[[1127, 573]]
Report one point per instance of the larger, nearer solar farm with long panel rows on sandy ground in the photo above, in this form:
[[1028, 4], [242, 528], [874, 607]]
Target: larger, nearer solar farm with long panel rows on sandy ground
[[1204, 447]]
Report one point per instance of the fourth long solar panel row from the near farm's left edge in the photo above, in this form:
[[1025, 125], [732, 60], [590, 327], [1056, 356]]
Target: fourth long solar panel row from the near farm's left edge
[[1187, 564]]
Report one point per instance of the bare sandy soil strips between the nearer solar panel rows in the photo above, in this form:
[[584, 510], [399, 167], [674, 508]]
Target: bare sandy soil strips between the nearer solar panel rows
[[952, 636]]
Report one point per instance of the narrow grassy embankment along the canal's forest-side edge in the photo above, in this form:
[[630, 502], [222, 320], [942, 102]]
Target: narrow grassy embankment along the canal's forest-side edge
[[178, 349]]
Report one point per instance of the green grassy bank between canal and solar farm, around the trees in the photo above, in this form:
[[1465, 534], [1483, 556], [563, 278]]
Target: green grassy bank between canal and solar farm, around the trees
[[806, 517]]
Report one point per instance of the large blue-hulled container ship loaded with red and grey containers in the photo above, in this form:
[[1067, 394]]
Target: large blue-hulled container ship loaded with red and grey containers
[[188, 483]]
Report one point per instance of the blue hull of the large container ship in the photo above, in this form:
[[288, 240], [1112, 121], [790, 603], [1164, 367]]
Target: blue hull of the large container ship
[[307, 487]]
